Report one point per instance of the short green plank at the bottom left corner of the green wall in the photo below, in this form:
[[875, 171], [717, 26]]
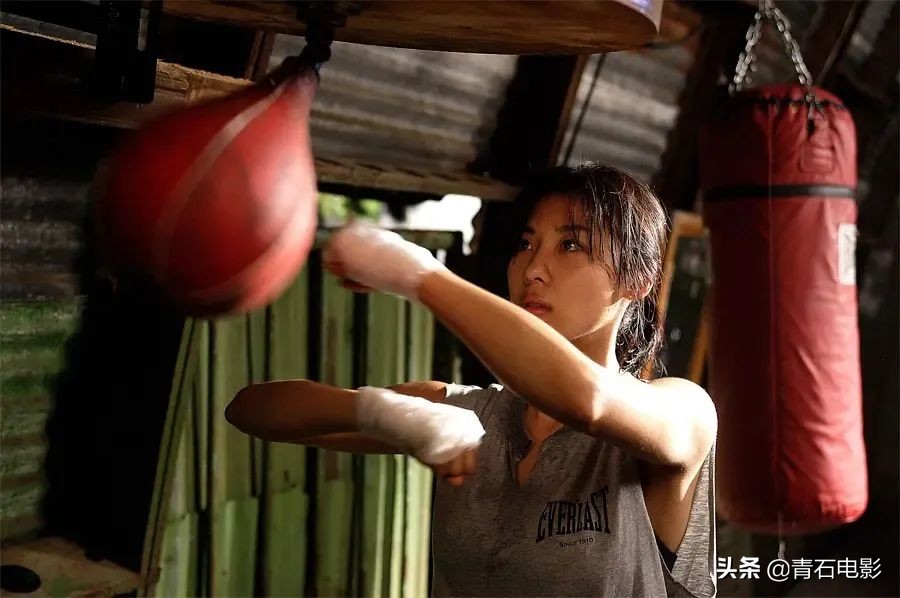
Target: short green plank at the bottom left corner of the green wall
[[179, 558]]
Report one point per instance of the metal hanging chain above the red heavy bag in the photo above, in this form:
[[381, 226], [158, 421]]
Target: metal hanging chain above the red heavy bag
[[747, 62]]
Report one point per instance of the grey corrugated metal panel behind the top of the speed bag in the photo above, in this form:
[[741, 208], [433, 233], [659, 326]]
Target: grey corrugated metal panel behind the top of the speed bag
[[402, 107]]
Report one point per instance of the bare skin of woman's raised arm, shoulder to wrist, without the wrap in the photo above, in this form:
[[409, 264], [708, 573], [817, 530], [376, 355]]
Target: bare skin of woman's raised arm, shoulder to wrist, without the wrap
[[669, 421]]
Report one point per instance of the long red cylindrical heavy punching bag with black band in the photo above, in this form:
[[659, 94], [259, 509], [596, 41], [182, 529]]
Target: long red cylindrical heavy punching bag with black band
[[784, 366]]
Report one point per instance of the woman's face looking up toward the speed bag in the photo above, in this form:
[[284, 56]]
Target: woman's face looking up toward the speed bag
[[553, 276]]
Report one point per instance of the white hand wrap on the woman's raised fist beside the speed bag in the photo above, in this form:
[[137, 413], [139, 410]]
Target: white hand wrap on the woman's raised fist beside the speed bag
[[381, 259]]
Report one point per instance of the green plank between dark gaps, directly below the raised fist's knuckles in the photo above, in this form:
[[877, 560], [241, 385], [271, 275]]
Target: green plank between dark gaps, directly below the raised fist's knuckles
[[334, 480]]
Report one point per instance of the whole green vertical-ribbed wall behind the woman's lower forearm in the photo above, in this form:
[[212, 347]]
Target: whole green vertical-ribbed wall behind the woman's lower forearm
[[281, 519]]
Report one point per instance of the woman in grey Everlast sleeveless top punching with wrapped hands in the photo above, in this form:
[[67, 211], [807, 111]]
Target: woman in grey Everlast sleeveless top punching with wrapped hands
[[588, 480]]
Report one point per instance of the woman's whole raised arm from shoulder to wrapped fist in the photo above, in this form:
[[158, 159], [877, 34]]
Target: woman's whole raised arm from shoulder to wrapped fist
[[668, 422]]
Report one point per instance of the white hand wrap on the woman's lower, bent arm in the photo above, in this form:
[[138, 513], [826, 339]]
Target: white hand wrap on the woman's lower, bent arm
[[433, 433]]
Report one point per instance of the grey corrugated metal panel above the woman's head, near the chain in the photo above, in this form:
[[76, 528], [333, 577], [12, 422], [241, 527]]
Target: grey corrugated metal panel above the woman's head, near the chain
[[634, 103]]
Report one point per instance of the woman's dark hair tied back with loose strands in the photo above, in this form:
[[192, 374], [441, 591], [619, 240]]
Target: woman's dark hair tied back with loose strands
[[632, 226]]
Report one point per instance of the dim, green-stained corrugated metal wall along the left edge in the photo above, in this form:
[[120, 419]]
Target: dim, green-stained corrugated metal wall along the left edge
[[41, 222]]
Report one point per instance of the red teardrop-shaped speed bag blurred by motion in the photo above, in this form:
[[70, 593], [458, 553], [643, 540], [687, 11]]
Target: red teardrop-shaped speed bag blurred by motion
[[217, 202]]
